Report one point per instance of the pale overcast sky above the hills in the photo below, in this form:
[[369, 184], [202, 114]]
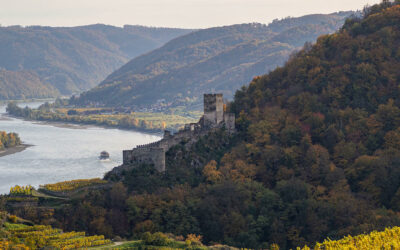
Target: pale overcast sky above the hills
[[164, 13]]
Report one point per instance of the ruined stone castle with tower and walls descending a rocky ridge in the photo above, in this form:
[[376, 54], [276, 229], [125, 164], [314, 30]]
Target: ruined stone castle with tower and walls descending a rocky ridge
[[154, 153]]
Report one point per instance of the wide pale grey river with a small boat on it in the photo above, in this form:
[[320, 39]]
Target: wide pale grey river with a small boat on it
[[62, 153]]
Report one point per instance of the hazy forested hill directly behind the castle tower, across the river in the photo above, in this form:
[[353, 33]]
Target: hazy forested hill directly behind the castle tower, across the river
[[217, 59]]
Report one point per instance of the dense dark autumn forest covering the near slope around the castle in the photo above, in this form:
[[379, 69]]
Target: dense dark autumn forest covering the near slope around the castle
[[316, 155]]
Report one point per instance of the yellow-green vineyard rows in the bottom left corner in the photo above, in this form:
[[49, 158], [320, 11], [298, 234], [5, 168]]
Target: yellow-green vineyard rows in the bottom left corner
[[40, 236]]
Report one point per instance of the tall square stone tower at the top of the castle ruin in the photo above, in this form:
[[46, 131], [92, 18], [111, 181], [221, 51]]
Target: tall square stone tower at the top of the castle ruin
[[213, 110]]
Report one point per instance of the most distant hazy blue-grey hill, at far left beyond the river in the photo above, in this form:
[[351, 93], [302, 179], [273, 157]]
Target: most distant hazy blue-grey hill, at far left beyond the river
[[40, 61]]
